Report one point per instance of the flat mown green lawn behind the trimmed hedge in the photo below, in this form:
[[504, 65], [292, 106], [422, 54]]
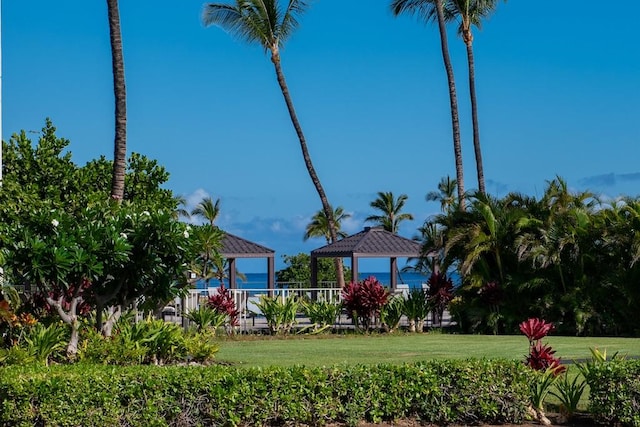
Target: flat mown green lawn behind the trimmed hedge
[[400, 348]]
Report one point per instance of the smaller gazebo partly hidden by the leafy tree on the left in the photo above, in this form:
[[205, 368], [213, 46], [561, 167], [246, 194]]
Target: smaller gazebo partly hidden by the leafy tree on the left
[[234, 247]]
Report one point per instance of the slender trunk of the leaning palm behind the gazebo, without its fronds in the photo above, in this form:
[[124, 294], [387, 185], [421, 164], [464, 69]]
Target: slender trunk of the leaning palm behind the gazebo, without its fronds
[[275, 58]]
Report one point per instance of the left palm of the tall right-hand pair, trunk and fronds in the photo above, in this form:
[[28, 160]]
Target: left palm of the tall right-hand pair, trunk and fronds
[[428, 9]]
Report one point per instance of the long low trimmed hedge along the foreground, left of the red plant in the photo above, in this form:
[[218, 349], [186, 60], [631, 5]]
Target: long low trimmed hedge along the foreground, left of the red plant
[[472, 391]]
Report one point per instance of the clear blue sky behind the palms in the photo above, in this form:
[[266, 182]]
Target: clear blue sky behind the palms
[[558, 89]]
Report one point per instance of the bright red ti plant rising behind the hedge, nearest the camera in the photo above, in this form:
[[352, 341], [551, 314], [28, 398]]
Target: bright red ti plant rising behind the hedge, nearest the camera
[[541, 356]]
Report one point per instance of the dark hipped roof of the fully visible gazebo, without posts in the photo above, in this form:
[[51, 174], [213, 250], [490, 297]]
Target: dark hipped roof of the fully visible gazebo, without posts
[[372, 242]]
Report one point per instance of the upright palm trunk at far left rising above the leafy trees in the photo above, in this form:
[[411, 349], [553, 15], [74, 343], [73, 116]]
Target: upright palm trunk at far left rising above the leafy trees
[[119, 89]]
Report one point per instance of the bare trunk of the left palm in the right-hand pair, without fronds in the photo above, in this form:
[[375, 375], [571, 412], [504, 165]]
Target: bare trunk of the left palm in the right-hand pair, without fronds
[[453, 100]]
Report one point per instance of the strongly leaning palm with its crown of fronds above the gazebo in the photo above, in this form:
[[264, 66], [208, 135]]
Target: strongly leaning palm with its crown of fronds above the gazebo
[[267, 23]]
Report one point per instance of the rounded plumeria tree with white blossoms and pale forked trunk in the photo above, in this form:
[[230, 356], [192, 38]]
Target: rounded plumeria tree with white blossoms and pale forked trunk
[[106, 256]]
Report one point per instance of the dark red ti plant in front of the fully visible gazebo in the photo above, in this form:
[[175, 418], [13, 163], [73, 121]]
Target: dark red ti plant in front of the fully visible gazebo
[[363, 300]]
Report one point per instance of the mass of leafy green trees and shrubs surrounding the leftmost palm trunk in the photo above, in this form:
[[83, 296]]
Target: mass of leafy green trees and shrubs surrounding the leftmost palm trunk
[[75, 252]]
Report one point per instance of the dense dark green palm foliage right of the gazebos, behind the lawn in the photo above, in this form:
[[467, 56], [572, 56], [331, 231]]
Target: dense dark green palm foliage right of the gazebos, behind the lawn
[[567, 257]]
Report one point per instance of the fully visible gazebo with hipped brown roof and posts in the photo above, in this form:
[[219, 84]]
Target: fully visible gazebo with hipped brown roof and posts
[[372, 242]]
